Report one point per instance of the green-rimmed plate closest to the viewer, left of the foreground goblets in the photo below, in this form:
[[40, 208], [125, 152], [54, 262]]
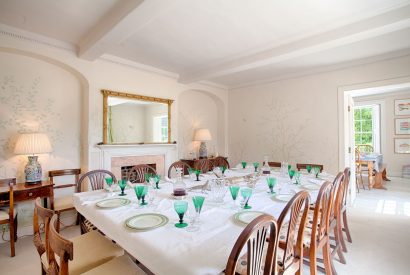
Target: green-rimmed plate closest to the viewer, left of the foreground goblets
[[147, 221]]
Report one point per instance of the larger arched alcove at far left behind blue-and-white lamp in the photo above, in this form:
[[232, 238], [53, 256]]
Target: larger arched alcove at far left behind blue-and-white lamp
[[39, 93]]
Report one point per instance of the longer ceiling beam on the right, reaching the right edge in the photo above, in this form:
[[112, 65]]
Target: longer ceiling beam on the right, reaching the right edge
[[382, 24]]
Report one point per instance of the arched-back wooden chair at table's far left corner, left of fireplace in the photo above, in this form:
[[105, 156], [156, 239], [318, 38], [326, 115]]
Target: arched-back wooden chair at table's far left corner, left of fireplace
[[96, 180]]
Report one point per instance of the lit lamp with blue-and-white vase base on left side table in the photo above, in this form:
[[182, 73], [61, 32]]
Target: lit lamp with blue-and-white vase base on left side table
[[30, 144]]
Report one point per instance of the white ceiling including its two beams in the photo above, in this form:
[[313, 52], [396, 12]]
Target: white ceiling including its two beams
[[229, 42]]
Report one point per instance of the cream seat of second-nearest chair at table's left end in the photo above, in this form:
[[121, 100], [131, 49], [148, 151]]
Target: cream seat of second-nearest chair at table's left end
[[90, 250]]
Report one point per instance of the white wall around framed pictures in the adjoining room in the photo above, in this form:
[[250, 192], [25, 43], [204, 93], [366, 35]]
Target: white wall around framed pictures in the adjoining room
[[393, 161]]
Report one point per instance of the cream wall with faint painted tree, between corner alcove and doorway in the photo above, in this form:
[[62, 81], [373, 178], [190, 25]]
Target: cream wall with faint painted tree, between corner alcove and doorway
[[297, 119]]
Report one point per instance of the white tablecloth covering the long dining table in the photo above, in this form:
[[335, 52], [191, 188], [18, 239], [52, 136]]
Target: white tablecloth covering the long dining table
[[171, 250]]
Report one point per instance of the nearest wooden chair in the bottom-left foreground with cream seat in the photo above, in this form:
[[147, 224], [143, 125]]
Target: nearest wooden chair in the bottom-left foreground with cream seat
[[68, 252]]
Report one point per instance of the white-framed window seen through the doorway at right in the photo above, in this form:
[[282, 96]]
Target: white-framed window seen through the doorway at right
[[367, 125]]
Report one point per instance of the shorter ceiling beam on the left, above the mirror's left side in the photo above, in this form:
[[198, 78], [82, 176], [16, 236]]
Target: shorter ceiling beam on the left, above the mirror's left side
[[125, 19]]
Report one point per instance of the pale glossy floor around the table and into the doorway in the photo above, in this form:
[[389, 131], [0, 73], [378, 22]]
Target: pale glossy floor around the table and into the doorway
[[379, 221]]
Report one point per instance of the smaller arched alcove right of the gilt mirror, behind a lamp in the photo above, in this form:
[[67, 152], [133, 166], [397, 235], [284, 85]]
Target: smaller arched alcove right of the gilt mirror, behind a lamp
[[200, 109]]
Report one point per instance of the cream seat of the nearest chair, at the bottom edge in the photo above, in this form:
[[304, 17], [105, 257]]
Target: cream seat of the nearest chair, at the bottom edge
[[119, 265]]
